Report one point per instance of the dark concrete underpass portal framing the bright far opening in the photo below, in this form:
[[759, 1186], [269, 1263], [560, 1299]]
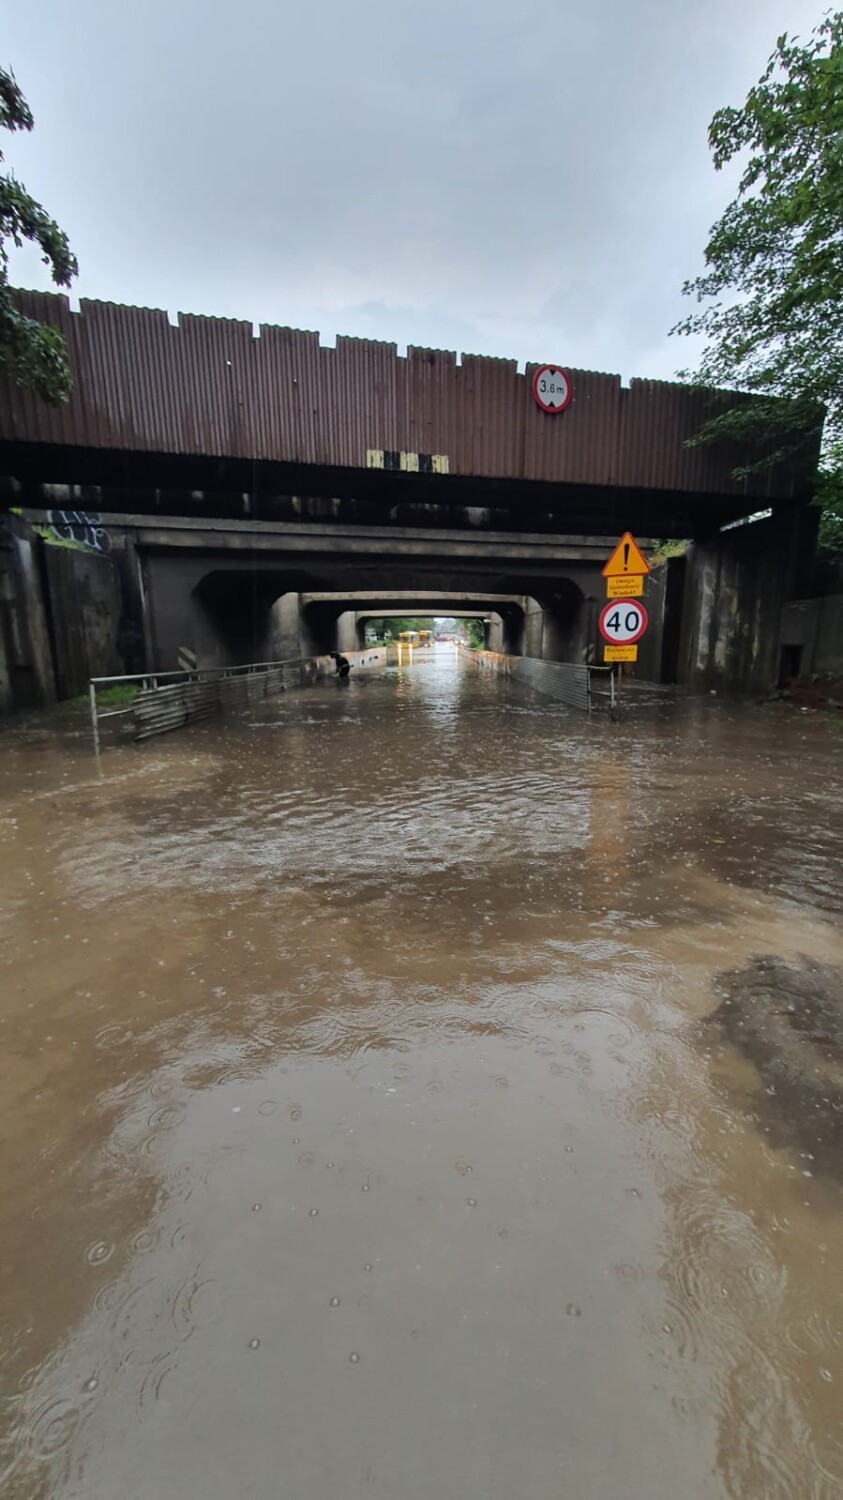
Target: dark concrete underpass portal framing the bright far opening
[[248, 593]]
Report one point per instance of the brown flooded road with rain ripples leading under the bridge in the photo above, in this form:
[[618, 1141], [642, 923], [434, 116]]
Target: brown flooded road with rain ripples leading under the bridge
[[418, 1091]]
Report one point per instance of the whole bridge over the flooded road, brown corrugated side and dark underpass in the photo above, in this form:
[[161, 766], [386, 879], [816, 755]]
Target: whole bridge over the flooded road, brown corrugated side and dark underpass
[[235, 473]]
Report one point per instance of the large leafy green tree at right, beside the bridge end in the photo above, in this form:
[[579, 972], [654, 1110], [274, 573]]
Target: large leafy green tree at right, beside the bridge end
[[772, 298]]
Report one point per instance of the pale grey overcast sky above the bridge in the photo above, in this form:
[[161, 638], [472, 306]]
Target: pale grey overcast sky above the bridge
[[517, 178]]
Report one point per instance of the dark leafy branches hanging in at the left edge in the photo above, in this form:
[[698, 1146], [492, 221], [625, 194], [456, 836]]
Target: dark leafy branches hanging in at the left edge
[[32, 353]]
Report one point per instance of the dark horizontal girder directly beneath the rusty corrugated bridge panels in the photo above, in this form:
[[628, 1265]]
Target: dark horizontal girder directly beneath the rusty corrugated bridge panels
[[200, 488]]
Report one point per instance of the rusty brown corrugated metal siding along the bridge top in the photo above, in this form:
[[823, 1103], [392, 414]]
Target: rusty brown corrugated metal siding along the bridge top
[[211, 388]]
